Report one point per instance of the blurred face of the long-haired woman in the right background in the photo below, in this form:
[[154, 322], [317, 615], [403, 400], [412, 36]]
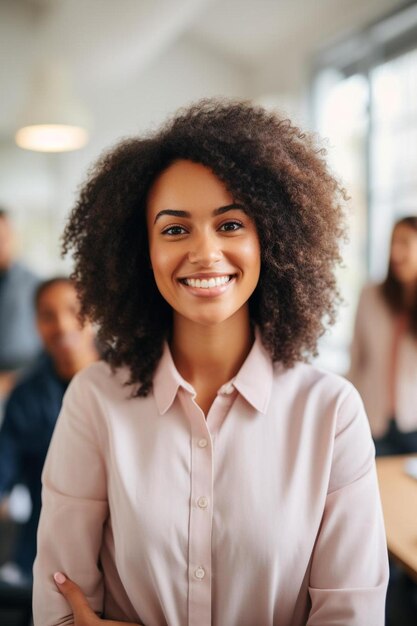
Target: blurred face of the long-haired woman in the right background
[[403, 258]]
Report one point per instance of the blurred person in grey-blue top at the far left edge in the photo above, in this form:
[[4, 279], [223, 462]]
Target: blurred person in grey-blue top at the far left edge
[[19, 341]]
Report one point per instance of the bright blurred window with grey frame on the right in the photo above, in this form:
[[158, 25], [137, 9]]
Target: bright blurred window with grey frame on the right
[[365, 102]]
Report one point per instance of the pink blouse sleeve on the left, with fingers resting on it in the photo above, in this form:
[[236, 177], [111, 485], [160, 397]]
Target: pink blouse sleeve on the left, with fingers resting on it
[[74, 510]]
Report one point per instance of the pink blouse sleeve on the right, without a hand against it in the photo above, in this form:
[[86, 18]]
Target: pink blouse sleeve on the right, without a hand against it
[[349, 571]]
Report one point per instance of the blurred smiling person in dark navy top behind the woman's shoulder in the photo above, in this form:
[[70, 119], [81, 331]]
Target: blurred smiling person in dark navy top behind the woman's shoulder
[[33, 406]]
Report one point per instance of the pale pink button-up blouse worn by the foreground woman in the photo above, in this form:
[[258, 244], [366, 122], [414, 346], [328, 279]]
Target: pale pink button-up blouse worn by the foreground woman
[[265, 514]]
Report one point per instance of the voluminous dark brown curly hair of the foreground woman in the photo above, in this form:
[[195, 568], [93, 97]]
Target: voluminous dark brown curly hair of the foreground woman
[[270, 167]]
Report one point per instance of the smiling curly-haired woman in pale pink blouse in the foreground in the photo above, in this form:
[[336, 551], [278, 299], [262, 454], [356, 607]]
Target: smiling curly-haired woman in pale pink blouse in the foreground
[[205, 474]]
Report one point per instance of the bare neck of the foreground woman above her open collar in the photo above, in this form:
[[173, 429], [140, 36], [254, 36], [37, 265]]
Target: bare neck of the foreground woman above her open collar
[[209, 356]]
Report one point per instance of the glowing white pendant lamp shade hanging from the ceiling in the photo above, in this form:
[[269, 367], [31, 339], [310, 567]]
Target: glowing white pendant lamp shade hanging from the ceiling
[[52, 120]]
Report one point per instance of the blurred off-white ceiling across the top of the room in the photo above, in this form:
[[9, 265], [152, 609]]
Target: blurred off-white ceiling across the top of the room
[[111, 41]]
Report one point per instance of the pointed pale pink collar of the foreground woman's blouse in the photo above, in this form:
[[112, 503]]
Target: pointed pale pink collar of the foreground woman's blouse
[[253, 381]]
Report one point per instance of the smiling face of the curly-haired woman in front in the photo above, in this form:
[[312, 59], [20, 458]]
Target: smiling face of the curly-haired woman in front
[[204, 248]]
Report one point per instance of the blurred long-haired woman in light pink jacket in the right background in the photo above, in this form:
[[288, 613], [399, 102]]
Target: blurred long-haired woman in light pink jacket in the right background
[[384, 347]]
